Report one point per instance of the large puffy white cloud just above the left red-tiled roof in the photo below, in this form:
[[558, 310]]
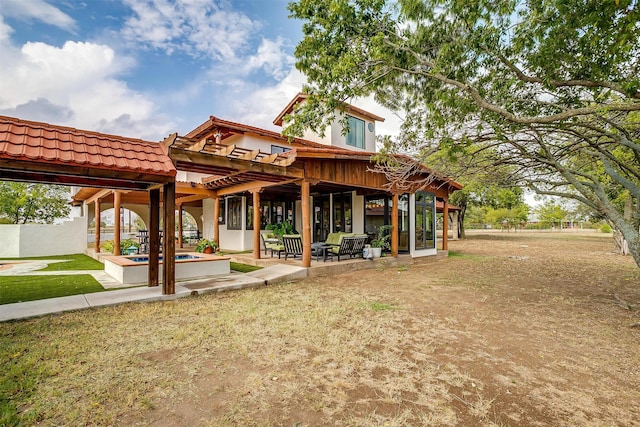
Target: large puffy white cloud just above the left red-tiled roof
[[74, 85]]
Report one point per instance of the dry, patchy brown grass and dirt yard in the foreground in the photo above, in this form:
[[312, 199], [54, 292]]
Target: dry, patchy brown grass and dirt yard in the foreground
[[525, 329]]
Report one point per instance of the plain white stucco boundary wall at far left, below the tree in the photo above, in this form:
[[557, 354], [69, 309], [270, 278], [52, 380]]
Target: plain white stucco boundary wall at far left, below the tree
[[27, 240]]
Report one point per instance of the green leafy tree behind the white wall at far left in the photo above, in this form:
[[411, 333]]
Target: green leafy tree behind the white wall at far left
[[24, 203]]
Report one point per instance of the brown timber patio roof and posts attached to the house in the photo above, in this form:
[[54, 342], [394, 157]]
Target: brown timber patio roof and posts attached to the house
[[305, 172]]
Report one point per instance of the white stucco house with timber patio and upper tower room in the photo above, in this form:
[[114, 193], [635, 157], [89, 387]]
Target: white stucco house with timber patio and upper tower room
[[236, 179]]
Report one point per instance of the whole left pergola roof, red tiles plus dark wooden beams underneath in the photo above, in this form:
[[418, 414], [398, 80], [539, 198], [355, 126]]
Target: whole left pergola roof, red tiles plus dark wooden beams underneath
[[36, 151]]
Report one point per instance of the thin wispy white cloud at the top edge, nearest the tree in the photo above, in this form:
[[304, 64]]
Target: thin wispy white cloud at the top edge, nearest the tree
[[195, 27]]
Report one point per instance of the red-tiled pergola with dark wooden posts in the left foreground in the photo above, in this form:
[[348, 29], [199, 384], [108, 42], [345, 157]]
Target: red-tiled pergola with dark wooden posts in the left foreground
[[43, 153]]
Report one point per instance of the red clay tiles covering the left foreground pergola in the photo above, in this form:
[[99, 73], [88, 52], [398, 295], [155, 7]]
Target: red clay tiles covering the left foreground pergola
[[69, 148]]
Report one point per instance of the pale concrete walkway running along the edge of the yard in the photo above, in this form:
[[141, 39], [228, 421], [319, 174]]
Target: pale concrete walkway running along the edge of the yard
[[270, 275]]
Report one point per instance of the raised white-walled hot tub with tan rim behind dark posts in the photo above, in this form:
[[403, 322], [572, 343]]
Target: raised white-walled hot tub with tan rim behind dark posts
[[133, 269]]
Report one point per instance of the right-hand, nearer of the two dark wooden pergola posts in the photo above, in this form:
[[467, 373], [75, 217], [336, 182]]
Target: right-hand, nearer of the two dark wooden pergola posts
[[169, 241]]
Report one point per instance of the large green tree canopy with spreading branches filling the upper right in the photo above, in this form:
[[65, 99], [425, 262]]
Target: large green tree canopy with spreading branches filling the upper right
[[549, 89]]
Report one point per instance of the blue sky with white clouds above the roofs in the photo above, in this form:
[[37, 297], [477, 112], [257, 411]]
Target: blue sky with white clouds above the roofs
[[148, 68]]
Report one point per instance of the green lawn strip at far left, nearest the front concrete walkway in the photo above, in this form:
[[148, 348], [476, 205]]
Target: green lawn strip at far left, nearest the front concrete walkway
[[30, 288]]
